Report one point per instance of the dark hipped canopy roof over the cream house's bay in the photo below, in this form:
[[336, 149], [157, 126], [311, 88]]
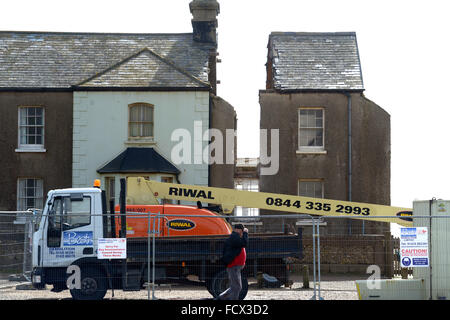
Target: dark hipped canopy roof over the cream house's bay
[[139, 160]]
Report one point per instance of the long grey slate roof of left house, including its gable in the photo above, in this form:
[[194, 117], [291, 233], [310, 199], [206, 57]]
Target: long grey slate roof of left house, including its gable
[[50, 60]]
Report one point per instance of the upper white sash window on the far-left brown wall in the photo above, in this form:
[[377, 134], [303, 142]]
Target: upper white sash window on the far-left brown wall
[[31, 129]]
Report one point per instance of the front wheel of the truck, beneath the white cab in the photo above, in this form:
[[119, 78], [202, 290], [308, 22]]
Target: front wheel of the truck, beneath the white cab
[[93, 285]]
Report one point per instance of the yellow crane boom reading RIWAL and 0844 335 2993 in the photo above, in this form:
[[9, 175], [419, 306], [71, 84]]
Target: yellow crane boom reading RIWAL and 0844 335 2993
[[142, 191]]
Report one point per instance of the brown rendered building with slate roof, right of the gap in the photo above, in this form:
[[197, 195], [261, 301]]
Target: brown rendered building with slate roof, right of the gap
[[334, 142]]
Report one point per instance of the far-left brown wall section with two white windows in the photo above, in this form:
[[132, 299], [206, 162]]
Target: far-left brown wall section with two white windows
[[36, 146]]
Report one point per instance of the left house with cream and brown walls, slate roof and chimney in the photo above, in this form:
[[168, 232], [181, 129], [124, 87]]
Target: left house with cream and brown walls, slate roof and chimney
[[75, 107]]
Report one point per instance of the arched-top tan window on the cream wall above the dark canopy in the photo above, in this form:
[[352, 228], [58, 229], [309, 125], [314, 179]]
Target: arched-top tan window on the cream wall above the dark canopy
[[140, 123]]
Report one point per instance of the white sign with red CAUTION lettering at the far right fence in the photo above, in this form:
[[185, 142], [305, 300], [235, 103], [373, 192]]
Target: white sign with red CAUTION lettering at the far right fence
[[414, 247]]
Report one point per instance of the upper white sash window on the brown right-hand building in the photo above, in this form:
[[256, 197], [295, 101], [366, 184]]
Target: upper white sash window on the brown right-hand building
[[311, 129]]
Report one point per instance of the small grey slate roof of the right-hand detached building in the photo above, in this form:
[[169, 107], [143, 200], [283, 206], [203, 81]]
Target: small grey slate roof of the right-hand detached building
[[315, 61]]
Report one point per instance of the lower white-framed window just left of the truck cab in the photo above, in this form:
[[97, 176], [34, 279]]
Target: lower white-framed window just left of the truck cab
[[29, 194]]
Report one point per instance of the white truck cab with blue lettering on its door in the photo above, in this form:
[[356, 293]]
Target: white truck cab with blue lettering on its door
[[67, 232]]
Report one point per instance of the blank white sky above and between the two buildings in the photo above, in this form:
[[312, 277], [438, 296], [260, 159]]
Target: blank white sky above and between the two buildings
[[402, 46]]
